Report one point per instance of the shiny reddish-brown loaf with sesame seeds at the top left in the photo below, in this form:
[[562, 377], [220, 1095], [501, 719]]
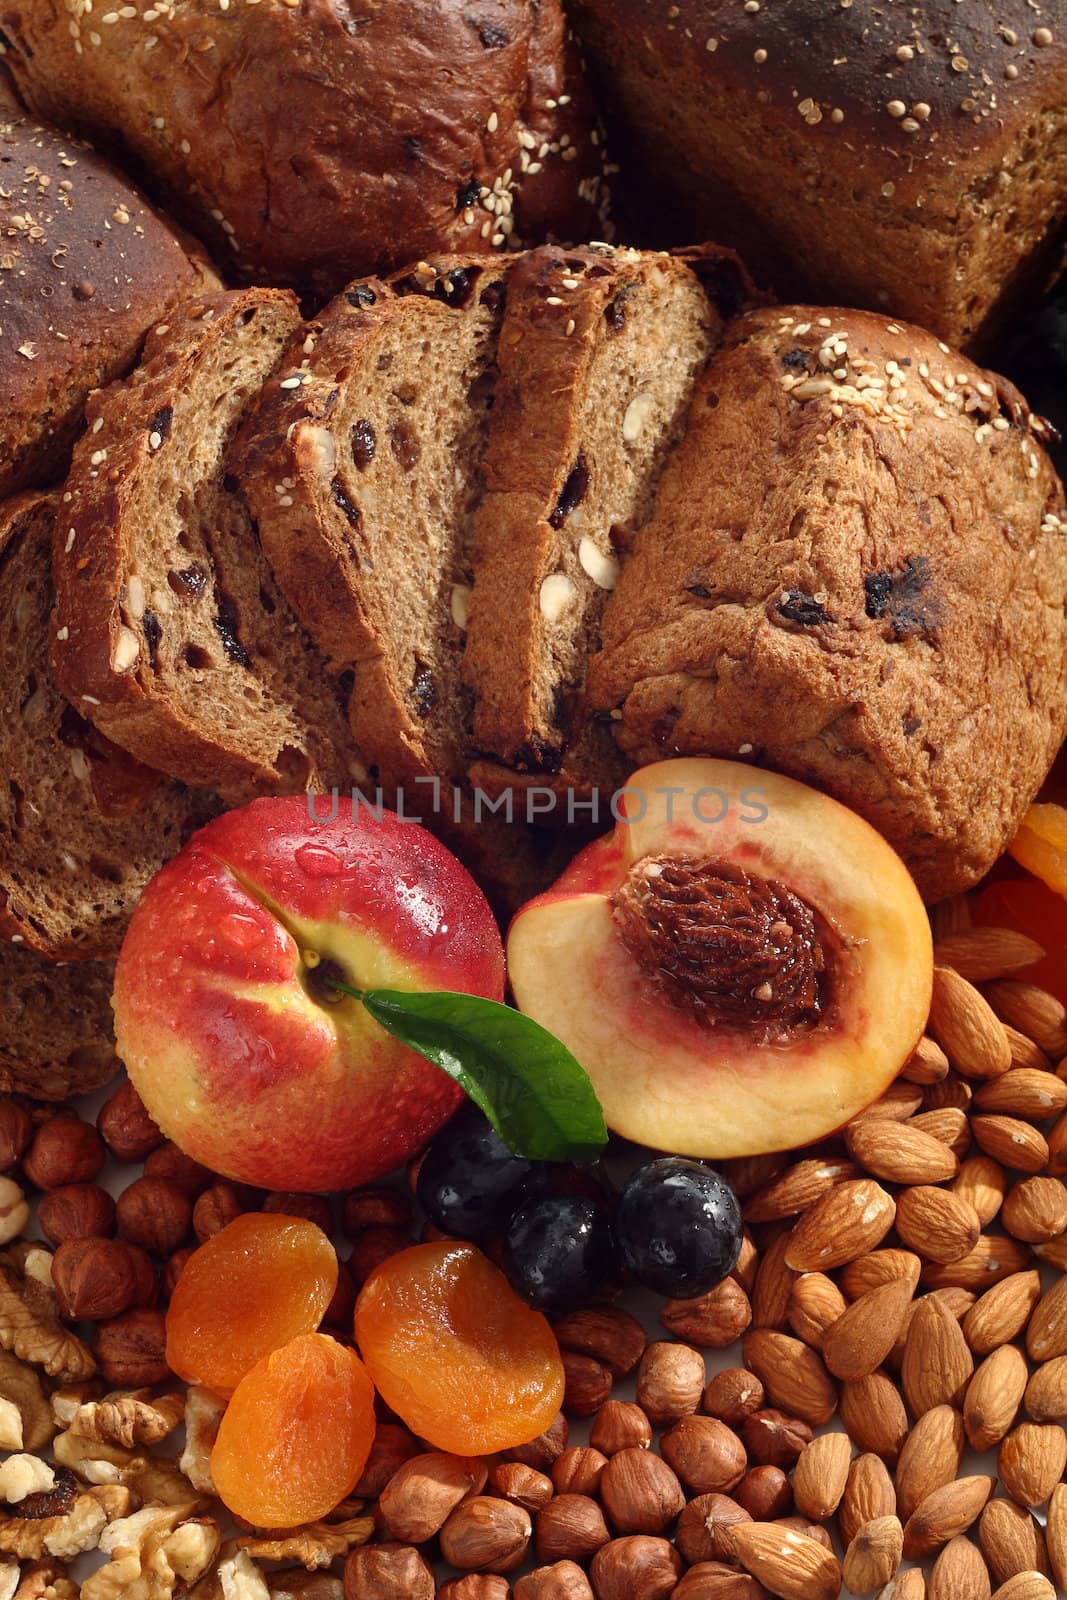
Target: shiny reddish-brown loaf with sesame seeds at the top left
[[316, 142]]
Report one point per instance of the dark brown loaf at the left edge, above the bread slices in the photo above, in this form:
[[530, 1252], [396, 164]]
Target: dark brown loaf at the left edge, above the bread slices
[[86, 270]]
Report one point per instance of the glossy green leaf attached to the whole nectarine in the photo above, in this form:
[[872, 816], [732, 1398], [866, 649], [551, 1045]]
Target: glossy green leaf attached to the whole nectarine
[[529, 1084]]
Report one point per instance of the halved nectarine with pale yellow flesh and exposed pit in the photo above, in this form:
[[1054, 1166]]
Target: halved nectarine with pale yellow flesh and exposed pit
[[741, 967]]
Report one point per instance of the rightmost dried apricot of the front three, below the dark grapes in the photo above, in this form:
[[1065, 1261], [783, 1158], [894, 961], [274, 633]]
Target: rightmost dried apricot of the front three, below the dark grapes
[[455, 1353]]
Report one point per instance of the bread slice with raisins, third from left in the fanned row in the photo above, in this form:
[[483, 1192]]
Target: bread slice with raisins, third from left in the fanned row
[[362, 466]]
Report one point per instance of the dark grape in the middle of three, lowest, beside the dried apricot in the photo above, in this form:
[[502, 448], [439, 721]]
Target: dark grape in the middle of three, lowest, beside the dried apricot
[[559, 1250]]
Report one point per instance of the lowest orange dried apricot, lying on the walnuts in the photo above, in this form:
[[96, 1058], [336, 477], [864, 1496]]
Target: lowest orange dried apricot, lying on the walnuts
[[297, 1434]]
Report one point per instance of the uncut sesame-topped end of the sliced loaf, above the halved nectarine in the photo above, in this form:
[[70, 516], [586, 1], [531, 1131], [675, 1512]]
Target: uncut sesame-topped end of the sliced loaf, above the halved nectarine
[[857, 575]]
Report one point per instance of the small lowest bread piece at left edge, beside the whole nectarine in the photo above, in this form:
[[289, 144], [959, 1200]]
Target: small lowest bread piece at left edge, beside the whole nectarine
[[55, 1026]]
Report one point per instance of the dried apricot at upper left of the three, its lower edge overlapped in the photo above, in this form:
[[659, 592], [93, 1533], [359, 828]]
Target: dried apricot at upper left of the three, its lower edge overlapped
[[252, 1289]]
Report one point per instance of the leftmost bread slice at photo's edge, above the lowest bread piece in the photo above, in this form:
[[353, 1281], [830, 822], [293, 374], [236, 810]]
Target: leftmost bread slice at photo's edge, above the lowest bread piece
[[82, 825]]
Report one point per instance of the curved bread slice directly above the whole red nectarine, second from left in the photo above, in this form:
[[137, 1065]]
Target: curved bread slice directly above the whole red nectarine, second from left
[[172, 636]]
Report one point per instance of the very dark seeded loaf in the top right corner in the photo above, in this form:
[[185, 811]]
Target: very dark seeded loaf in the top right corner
[[909, 159]]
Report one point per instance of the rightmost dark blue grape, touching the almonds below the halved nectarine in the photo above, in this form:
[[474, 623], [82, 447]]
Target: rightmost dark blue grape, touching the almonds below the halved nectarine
[[679, 1228]]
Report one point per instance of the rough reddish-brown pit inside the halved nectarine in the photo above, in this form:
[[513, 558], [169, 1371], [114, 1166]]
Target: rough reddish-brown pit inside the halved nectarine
[[724, 945]]
